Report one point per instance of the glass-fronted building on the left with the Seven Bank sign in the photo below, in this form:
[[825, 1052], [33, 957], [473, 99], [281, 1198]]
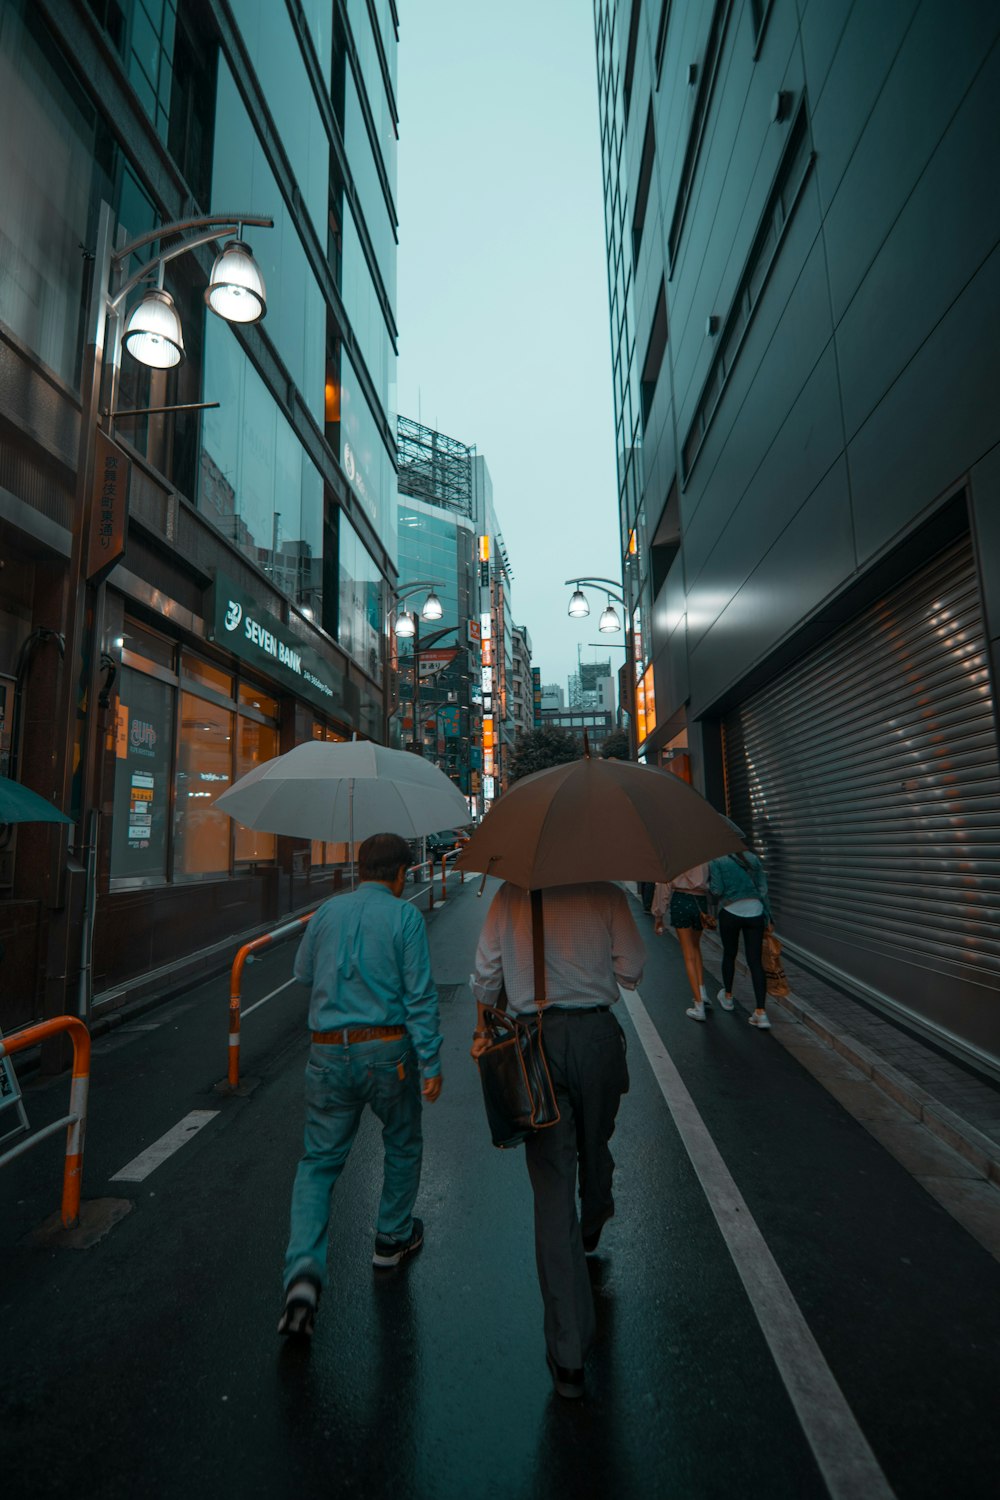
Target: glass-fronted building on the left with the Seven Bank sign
[[250, 608]]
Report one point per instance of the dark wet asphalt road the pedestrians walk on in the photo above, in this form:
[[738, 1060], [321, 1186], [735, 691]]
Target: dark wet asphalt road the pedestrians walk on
[[149, 1364]]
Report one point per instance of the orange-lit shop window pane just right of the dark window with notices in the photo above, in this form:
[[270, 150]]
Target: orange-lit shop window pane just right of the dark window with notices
[[205, 770]]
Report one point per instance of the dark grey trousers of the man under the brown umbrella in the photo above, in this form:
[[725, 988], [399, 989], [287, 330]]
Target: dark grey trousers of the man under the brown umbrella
[[587, 1060]]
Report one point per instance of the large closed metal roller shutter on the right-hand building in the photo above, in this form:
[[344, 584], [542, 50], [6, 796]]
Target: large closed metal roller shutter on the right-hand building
[[867, 778]]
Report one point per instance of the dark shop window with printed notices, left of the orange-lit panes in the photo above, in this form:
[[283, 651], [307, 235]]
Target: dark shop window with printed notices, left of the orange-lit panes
[[142, 782]]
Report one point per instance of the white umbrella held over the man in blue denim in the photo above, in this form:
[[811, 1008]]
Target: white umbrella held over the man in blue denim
[[343, 793]]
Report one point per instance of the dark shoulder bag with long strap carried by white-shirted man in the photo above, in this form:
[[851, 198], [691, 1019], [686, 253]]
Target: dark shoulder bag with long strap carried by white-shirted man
[[518, 1088]]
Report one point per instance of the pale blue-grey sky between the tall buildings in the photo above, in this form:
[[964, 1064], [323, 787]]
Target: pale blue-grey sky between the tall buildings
[[503, 286]]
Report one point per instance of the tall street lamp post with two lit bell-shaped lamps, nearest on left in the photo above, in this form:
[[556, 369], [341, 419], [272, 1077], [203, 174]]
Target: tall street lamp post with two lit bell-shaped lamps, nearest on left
[[151, 334]]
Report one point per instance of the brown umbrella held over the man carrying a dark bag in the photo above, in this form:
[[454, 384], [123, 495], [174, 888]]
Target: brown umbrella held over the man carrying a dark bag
[[597, 821]]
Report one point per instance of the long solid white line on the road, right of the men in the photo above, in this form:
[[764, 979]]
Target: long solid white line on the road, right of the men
[[840, 1448]]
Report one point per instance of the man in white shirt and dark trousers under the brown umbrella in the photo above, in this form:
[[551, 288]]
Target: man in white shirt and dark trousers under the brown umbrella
[[591, 946]]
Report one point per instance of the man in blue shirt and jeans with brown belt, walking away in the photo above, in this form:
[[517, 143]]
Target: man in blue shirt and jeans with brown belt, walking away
[[376, 1030]]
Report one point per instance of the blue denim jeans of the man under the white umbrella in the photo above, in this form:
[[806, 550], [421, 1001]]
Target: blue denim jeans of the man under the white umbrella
[[340, 1084]]
